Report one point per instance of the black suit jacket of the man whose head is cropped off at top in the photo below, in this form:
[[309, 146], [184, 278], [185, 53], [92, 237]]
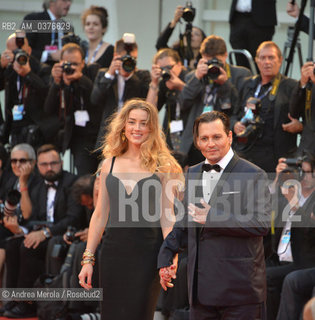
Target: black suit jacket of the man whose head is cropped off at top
[[263, 12]]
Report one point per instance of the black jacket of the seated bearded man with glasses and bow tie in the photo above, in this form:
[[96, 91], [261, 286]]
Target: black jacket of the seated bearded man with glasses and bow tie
[[67, 212]]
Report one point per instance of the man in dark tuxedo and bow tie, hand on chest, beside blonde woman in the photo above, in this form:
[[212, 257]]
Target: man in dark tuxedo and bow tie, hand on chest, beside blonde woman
[[227, 201]]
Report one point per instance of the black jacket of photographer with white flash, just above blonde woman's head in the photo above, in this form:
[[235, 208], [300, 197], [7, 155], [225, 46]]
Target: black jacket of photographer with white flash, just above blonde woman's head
[[105, 94]]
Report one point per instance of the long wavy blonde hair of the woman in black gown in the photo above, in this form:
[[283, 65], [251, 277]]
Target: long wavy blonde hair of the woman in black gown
[[155, 154]]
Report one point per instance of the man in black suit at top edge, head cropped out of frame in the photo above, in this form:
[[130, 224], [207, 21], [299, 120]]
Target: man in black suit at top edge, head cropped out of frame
[[251, 23]]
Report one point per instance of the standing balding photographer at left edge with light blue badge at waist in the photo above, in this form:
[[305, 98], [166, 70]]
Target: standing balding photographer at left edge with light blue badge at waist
[[25, 82]]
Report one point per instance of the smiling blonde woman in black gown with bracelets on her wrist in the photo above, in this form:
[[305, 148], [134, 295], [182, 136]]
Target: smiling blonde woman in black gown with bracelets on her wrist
[[135, 205]]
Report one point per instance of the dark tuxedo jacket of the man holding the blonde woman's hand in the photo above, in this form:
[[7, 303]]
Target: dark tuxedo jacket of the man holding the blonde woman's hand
[[226, 256]]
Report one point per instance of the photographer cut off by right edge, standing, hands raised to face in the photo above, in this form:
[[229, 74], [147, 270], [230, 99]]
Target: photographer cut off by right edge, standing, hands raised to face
[[303, 105]]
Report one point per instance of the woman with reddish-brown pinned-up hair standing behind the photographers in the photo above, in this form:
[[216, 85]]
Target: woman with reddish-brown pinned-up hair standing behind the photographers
[[95, 22]]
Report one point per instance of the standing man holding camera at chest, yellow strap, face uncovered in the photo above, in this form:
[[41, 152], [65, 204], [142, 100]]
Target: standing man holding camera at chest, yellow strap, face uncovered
[[276, 134]]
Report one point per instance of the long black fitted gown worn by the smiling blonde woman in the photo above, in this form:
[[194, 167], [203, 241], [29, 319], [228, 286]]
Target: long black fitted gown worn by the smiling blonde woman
[[129, 250]]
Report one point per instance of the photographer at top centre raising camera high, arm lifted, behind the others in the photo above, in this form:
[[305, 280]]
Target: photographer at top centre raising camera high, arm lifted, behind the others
[[189, 43]]
